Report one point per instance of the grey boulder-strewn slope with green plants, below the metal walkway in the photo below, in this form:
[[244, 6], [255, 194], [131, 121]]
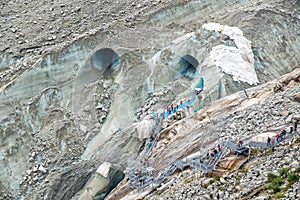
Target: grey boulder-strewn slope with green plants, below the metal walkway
[[252, 182]]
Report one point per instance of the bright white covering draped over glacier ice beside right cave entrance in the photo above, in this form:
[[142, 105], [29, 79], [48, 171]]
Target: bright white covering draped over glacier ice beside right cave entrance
[[237, 61]]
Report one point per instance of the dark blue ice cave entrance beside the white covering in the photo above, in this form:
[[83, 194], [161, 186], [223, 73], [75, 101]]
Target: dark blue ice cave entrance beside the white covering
[[188, 66]]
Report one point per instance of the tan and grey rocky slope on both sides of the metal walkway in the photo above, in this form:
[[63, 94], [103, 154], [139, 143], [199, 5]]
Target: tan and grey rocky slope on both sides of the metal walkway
[[218, 121]]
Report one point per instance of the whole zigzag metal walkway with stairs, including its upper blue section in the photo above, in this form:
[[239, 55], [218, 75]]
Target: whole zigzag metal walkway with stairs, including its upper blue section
[[140, 172]]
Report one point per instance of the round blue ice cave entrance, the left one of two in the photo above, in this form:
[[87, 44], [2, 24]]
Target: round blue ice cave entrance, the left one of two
[[106, 60]]
